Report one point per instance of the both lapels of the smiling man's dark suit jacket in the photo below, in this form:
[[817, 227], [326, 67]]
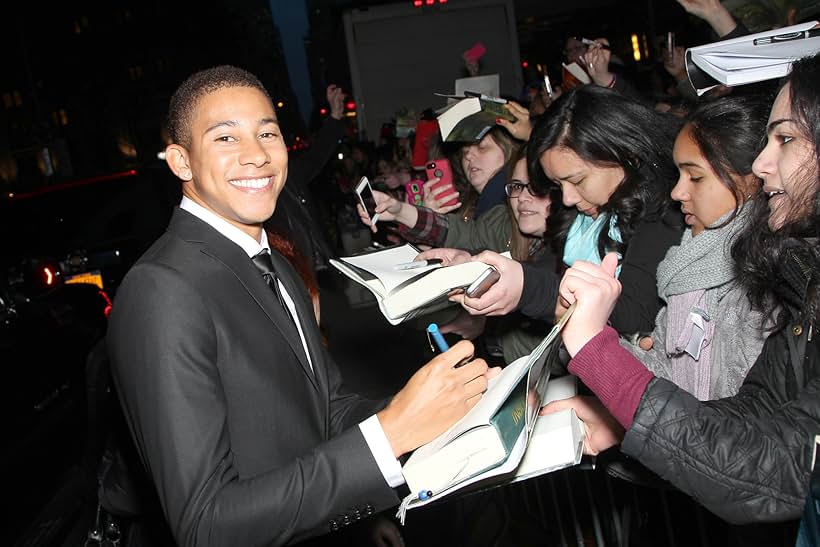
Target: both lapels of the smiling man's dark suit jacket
[[232, 256]]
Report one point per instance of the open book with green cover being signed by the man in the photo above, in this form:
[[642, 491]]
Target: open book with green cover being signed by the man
[[488, 445]]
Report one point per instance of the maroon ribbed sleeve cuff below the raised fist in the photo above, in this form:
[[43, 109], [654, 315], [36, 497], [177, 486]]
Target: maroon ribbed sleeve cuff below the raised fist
[[613, 374]]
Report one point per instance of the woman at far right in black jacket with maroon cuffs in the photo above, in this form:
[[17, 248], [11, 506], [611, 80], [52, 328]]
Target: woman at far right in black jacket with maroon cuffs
[[748, 457]]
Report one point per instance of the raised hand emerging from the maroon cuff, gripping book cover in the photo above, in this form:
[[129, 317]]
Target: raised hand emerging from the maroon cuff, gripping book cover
[[595, 290]]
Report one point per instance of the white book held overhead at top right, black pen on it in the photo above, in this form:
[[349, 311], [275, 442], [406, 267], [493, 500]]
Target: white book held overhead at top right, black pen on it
[[751, 58]]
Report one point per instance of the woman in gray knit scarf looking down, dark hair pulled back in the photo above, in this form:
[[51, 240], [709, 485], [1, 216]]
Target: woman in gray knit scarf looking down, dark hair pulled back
[[707, 336]]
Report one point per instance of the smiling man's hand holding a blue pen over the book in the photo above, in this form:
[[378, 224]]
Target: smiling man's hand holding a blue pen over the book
[[438, 395]]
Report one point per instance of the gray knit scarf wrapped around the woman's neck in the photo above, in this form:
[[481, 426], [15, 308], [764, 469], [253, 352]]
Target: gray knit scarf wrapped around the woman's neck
[[701, 262]]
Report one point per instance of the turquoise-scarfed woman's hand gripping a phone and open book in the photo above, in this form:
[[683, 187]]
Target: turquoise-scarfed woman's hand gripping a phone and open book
[[504, 295]]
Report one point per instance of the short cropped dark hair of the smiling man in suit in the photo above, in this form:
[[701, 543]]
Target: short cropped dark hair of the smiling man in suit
[[199, 84]]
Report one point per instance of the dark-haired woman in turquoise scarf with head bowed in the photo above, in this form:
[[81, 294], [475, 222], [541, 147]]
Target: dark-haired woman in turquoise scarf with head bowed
[[611, 158]]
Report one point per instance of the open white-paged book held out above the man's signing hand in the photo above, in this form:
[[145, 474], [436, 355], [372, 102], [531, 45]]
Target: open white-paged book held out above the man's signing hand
[[406, 293]]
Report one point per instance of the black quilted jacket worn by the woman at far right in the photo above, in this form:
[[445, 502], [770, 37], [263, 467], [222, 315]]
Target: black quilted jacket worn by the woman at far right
[[746, 458]]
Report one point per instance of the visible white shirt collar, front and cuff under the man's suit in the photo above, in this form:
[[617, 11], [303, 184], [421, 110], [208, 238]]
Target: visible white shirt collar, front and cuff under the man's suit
[[371, 428]]
